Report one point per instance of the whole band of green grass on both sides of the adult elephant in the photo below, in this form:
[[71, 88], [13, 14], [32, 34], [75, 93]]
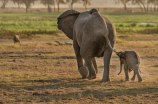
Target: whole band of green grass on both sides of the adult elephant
[[48, 22]]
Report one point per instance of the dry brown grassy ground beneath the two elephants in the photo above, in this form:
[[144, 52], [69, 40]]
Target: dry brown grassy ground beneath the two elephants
[[46, 72]]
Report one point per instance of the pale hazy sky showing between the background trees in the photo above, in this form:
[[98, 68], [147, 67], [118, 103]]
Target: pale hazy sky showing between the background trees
[[94, 4]]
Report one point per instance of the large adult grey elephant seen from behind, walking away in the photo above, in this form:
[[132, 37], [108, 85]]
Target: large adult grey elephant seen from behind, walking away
[[93, 36]]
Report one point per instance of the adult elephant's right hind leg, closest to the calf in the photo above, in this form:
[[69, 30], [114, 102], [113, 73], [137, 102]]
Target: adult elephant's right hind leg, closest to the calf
[[107, 57]]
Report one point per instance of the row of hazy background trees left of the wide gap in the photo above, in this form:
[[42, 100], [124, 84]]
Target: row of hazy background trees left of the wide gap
[[48, 3]]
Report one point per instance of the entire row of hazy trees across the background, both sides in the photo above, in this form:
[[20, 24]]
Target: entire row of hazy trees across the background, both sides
[[145, 5]]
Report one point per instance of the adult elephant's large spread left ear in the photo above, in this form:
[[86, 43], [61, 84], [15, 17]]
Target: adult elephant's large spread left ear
[[66, 22]]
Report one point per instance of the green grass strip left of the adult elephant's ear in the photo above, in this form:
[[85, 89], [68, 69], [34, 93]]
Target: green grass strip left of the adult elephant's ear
[[28, 22]]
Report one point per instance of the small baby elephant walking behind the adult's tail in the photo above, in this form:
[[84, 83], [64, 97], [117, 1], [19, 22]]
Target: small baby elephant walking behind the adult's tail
[[131, 61]]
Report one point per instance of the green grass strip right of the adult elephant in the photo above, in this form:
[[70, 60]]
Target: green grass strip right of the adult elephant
[[126, 21]]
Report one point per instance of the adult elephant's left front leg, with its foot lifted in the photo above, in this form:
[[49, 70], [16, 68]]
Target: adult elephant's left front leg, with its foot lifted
[[81, 68]]
